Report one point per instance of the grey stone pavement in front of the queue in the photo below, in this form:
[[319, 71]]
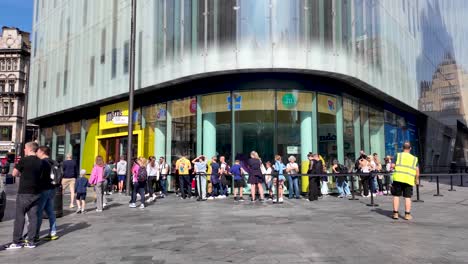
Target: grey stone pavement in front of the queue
[[331, 230]]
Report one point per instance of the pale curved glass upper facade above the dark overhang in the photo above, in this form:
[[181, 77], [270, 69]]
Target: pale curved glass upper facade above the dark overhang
[[80, 52]]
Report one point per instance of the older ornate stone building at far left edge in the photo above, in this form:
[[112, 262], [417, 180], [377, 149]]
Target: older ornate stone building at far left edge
[[15, 49]]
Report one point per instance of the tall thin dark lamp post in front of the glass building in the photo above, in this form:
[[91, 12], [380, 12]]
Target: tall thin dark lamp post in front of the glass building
[[130, 95]]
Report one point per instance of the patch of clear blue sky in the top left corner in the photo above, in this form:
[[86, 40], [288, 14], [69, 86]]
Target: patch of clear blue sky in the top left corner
[[16, 13]]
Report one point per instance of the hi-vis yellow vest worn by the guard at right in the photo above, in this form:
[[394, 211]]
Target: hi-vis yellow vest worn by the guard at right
[[405, 168]]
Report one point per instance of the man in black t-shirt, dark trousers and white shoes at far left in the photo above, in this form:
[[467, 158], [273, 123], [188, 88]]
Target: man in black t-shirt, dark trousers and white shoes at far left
[[31, 171]]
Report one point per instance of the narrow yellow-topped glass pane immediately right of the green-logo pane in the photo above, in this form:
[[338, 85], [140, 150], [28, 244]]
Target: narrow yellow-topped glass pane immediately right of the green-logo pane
[[326, 105]]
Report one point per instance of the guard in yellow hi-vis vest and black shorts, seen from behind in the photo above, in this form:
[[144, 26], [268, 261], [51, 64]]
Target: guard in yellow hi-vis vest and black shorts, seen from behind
[[405, 176]]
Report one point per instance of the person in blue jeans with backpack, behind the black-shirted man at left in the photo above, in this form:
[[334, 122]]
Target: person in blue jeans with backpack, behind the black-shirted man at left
[[48, 194]]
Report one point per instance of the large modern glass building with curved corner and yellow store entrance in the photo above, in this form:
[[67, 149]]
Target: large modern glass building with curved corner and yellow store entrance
[[230, 76]]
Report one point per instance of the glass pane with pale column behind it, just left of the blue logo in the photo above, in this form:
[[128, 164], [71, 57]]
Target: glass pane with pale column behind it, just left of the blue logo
[[217, 138]]
